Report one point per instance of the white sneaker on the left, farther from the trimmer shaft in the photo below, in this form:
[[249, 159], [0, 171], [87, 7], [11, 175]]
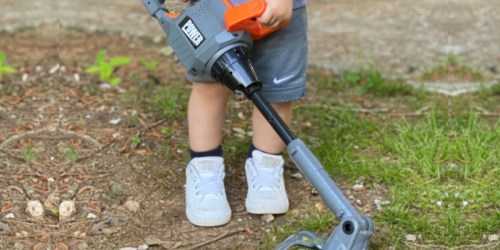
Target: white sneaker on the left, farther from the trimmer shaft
[[206, 202]]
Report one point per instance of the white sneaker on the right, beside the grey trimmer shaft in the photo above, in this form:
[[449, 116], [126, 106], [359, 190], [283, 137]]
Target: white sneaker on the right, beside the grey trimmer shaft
[[266, 186]]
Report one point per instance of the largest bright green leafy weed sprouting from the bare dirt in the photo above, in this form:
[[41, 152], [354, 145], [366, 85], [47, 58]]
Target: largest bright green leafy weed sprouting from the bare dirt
[[105, 68]]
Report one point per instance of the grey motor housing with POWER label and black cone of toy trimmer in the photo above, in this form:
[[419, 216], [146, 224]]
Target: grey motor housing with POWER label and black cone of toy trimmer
[[203, 44]]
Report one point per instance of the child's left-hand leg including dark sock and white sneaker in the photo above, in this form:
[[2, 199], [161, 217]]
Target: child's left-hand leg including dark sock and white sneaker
[[206, 201]]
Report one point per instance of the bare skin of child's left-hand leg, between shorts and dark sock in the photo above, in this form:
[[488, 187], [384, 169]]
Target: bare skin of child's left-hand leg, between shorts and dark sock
[[206, 114]]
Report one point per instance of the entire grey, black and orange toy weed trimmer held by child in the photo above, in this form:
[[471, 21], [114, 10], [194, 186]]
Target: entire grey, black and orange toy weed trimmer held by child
[[212, 37]]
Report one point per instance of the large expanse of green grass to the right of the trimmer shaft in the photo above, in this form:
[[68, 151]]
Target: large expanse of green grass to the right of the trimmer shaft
[[441, 171]]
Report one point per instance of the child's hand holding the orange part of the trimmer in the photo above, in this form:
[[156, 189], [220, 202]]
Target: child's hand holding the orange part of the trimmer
[[277, 13]]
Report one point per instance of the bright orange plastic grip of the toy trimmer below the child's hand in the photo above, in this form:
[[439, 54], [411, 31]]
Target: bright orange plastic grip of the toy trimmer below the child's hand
[[244, 17]]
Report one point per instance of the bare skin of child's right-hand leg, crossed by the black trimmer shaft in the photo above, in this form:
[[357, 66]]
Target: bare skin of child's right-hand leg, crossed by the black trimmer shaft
[[265, 138]]
